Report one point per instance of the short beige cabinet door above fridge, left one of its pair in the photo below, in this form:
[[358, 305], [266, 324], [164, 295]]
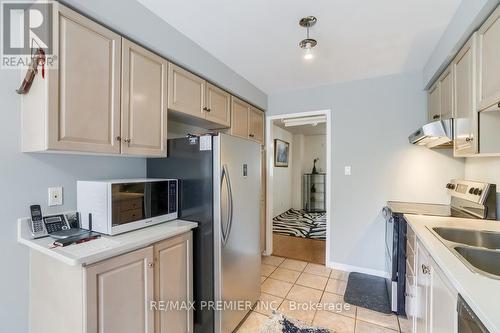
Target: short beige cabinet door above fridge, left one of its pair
[[186, 92]]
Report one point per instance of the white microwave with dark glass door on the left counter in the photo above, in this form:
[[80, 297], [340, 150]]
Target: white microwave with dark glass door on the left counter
[[117, 206]]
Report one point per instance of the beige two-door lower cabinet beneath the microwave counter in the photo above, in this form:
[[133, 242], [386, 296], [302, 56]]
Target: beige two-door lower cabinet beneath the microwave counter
[[136, 292]]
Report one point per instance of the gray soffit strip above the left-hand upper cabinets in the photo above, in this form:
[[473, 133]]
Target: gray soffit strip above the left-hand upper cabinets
[[130, 18]]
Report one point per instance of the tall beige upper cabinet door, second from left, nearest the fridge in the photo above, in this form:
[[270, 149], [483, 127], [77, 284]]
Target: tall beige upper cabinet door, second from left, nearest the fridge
[[144, 101]]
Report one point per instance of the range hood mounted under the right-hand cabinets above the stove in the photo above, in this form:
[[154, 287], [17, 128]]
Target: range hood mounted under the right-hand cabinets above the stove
[[438, 134]]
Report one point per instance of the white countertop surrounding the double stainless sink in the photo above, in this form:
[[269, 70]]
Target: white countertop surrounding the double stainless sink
[[480, 292]]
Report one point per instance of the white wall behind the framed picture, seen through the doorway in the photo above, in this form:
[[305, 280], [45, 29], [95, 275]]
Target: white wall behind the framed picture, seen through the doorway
[[282, 177]]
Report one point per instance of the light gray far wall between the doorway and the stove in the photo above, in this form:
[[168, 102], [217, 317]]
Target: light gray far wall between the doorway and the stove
[[371, 120]]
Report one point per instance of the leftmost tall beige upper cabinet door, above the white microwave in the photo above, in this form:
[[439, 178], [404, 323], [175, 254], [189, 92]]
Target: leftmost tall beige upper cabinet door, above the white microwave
[[84, 91]]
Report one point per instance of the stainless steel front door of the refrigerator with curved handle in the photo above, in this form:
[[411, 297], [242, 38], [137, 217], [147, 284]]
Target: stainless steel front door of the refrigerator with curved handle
[[237, 230]]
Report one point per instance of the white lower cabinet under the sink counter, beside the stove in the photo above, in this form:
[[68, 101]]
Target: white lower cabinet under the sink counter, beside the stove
[[431, 300]]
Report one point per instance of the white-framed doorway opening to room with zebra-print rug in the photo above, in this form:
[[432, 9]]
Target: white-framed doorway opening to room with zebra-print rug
[[298, 214]]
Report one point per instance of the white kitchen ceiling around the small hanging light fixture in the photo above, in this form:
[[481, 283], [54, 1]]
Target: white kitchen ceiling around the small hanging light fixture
[[357, 39]]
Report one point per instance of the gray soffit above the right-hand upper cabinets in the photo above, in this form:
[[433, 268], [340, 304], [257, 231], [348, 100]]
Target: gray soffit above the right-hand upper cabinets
[[469, 16]]
